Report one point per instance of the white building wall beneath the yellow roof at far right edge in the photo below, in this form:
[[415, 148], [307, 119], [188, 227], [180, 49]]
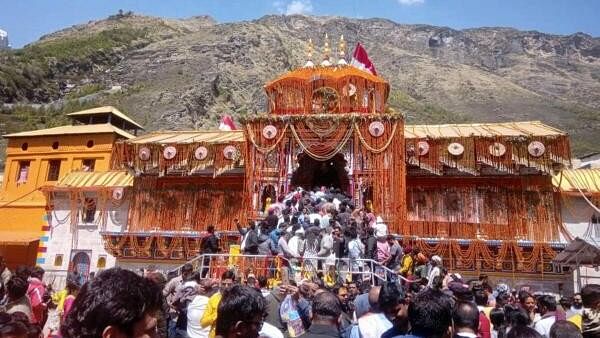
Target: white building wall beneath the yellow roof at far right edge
[[577, 216]]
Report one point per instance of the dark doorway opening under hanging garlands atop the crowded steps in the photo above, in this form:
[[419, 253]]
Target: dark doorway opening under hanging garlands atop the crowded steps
[[312, 173]]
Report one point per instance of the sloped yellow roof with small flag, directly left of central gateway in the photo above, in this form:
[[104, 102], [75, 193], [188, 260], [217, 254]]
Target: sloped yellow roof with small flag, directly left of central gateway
[[195, 136]]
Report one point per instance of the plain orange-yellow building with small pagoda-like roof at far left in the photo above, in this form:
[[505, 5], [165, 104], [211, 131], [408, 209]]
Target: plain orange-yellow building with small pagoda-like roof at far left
[[41, 158]]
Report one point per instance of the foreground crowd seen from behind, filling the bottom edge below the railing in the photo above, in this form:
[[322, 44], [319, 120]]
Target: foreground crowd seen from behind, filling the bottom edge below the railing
[[122, 303]]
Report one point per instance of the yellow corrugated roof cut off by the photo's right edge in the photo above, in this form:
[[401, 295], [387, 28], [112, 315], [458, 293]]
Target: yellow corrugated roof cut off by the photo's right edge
[[587, 180]]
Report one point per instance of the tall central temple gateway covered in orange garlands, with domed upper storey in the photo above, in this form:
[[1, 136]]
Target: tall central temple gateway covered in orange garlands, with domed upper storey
[[352, 142]]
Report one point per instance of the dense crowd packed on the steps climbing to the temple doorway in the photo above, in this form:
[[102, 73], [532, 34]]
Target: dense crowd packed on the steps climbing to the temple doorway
[[313, 230]]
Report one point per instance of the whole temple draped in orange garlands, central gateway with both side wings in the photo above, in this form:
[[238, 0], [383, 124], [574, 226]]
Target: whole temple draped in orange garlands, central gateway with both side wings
[[480, 195]]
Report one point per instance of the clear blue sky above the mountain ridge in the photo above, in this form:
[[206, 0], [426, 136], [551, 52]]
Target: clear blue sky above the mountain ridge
[[27, 20]]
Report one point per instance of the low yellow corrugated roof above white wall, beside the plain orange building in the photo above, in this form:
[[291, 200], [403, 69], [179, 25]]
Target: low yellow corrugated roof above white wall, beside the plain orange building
[[97, 179]]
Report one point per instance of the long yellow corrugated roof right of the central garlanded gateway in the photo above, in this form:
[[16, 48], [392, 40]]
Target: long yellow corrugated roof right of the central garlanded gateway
[[528, 128]]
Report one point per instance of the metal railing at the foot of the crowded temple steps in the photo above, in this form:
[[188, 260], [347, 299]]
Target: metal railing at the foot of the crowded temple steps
[[275, 267]]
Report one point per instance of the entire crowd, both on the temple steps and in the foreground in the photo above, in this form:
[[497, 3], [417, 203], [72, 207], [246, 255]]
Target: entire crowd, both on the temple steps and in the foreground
[[309, 228]]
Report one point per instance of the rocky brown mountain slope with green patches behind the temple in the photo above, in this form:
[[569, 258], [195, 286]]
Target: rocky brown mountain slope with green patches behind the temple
[[182, 74]]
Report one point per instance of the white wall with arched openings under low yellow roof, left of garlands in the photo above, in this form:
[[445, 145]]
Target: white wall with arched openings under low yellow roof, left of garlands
[[62, 241]]
